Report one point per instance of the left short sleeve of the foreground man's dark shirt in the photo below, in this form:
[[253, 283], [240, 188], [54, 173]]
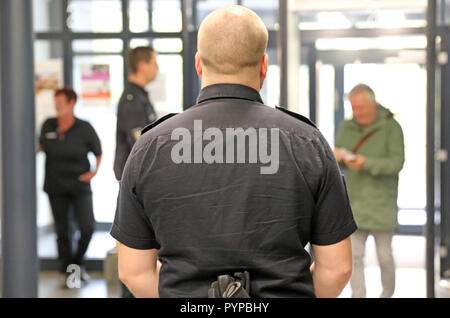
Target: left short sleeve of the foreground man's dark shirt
[[131, 226]]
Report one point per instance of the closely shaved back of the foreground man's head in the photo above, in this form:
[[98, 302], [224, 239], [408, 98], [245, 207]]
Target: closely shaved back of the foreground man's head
[[232, 40]]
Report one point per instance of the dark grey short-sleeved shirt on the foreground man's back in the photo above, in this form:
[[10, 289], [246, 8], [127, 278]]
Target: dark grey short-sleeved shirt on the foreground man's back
[[209, 219]]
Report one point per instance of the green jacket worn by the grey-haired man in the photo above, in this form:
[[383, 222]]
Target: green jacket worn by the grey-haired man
[[373, 190]]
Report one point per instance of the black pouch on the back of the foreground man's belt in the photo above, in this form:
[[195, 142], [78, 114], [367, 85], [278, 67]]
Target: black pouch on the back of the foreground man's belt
[[226, 286]]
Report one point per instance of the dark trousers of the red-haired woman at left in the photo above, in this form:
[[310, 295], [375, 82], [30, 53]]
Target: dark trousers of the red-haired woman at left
[[84, 217]]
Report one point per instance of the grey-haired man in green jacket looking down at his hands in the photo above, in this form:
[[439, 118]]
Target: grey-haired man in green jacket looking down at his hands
[[370, 149]]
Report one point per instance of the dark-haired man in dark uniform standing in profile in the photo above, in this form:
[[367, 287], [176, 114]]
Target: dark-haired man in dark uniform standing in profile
[[135, 111]]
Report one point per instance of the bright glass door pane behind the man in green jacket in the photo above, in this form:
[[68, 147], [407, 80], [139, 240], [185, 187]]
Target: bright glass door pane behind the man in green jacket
[[408, 103]]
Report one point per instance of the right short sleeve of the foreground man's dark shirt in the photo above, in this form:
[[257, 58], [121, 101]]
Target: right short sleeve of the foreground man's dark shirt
[[332, 219]]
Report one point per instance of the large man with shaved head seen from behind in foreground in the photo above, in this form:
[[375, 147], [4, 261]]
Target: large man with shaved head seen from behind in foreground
[[231, 185]]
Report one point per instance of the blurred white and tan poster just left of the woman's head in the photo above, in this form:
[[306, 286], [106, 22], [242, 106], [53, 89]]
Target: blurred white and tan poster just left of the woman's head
[[48, 76]]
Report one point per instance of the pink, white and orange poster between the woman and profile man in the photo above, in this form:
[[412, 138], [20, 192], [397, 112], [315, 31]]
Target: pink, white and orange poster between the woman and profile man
[[95, 84]]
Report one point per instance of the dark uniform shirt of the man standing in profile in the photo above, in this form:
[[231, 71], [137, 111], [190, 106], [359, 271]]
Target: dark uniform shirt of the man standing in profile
[[134, 113]]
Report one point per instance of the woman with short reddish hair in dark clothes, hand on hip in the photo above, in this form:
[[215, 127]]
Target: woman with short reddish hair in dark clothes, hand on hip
[[67, 141]]
